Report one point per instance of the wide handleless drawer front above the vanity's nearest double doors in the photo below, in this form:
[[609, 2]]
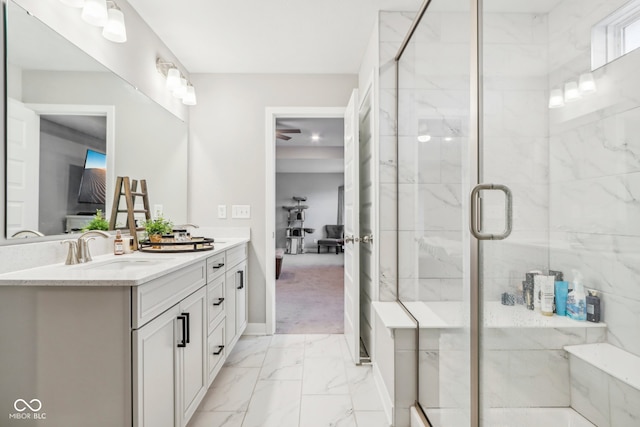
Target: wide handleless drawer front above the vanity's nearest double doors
[[153, 298]]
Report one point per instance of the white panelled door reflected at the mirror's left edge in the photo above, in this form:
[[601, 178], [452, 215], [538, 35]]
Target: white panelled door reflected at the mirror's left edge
[[23, 165]]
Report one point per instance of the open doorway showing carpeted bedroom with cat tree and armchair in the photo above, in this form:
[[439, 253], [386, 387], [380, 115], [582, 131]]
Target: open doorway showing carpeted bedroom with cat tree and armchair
[[309, 225]]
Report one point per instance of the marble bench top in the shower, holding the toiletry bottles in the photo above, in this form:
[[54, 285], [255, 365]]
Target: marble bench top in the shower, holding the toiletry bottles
[[453, 314]]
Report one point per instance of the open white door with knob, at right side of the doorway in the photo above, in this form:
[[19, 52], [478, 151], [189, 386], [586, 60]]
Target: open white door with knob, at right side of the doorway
[[351, 229]]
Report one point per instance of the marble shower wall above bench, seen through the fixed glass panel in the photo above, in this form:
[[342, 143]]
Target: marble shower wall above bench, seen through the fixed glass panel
[[433, 100]]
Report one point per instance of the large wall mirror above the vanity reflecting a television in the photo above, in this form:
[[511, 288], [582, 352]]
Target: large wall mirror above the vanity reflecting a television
[[72, 127]]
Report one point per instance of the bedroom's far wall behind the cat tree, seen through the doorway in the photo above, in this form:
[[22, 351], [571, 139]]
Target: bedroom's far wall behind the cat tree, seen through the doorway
[[321, 190]]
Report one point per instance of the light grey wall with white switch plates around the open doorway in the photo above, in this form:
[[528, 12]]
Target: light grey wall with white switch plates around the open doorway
[[227, 150]]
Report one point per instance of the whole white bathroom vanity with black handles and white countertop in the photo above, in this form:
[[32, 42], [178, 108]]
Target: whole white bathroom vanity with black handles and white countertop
[[132, 340]]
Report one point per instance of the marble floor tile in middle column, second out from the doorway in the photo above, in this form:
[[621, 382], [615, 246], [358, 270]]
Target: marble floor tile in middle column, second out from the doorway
[[324, 376]]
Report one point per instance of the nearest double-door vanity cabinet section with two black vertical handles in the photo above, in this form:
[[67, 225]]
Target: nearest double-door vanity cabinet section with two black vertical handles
[[169, 352]]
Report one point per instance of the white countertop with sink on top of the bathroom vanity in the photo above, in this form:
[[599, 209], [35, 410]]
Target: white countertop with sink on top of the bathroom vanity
[[114, 270]]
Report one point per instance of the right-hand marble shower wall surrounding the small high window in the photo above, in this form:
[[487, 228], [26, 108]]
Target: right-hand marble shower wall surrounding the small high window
[[595, 170]]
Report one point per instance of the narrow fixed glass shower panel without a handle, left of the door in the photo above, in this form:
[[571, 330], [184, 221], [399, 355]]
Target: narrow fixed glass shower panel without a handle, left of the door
[[433, 186]]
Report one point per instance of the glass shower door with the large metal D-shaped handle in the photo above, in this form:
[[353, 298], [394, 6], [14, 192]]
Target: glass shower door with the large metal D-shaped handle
[[563, 138]]
